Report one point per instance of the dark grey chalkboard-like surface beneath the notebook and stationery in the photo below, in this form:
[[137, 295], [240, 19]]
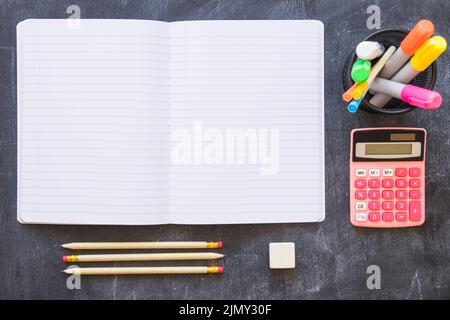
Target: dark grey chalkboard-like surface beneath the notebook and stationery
[[332, 256]]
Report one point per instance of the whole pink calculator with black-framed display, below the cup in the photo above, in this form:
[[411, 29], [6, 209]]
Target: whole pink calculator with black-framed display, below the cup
[[387, 177]]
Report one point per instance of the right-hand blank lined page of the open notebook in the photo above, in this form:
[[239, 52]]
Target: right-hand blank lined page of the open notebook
[[249, 75]]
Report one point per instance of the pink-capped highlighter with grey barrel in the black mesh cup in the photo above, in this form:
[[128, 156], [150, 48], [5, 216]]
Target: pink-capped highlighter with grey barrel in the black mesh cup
[[415, 96]]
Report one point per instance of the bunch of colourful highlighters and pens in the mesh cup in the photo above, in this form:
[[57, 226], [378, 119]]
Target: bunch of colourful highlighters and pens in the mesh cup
[[390, 76]]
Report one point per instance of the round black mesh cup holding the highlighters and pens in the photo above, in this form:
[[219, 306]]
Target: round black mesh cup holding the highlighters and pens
[[389, 37]]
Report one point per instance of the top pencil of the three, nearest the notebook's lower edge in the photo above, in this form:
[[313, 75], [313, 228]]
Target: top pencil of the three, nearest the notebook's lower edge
[[143, 245]]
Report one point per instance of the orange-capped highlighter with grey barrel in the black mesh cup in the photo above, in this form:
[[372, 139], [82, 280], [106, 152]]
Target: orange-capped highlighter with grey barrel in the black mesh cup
[[421, 32]]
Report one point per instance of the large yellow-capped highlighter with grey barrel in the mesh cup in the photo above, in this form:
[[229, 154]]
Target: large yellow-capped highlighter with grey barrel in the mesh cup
[[422, 59]]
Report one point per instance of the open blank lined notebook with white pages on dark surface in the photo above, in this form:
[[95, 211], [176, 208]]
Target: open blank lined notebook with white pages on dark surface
[[147, 122]]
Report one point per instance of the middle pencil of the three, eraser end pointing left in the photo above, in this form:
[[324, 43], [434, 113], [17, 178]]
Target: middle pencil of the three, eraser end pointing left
[[143, 257]]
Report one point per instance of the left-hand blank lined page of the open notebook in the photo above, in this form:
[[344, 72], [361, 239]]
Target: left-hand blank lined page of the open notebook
[[92, 122]]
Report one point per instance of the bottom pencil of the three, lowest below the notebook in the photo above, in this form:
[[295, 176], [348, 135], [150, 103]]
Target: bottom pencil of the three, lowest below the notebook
[[144, 270]]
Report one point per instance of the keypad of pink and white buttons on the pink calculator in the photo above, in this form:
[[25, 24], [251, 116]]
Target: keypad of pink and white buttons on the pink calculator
[[388, 195]]
